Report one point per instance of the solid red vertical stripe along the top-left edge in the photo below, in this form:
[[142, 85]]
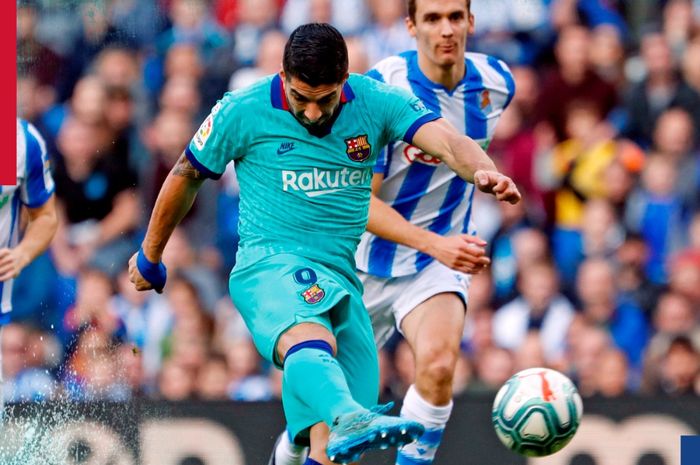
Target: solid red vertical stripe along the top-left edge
[[8, 92]]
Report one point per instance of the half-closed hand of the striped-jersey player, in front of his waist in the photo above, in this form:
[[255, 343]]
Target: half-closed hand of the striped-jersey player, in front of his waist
[[464, 253]]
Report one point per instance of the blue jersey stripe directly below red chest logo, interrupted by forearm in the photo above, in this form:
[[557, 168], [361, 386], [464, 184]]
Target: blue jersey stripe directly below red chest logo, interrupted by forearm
[[414, 186]]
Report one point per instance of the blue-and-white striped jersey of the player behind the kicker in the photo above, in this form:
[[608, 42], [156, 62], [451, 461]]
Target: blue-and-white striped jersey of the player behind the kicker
[[420, 187]]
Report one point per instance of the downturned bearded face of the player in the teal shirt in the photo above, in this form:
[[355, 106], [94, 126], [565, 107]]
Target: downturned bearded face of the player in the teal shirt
[[312, 106]]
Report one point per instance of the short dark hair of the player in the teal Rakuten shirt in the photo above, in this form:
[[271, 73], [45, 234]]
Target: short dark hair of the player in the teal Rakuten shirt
[[316, 54]]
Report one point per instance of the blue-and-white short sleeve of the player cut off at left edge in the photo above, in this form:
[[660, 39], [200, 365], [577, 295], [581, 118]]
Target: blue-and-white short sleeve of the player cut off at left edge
[[38, 184]]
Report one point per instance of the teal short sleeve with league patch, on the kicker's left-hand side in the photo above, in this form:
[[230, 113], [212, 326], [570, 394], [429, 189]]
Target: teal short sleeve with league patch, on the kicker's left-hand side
[[213, 145]]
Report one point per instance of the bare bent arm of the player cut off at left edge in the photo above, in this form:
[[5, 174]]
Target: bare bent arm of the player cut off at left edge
[[37, 237]]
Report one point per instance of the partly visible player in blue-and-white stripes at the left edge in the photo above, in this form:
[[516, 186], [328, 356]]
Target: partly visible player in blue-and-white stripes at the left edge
[[34, 190]]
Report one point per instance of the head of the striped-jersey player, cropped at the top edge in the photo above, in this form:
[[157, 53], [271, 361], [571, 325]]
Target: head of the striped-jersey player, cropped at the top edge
[[441, 28]]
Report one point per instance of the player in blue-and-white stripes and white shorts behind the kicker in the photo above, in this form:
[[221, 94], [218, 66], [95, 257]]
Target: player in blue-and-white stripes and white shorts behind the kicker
[[421, 247]]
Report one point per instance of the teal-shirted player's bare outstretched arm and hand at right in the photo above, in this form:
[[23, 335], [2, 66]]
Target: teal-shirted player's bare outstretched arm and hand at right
[[466, 158]]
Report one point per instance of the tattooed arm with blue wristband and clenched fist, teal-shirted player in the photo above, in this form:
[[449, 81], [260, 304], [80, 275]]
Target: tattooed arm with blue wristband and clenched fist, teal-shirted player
[[174, 201]]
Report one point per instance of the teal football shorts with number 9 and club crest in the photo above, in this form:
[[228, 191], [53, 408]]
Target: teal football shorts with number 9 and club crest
[[284, 290]]
